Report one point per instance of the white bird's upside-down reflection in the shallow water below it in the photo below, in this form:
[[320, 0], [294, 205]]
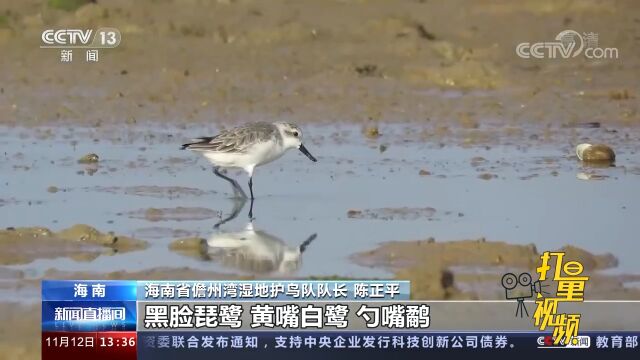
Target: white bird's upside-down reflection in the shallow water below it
[[253, 251]]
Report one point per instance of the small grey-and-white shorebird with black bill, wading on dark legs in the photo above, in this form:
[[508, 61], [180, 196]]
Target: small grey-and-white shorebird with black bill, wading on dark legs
[[247, 147]]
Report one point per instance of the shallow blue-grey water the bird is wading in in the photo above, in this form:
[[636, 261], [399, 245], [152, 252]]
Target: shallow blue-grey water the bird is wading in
[[535, 196]]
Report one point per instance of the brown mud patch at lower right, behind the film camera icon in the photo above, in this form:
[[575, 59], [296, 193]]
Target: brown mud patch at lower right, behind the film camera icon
[[472, 269]]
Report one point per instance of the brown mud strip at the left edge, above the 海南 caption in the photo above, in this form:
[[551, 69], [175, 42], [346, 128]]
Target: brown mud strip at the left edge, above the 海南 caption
[[79, 242]]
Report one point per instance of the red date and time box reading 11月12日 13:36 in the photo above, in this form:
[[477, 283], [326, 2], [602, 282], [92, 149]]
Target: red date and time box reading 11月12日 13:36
[[116, 345]]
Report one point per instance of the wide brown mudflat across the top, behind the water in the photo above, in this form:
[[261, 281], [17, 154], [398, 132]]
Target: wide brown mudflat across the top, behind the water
[[359, 61]]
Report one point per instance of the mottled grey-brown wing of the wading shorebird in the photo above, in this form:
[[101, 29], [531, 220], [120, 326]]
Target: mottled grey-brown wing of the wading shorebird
[[234, 140]]
